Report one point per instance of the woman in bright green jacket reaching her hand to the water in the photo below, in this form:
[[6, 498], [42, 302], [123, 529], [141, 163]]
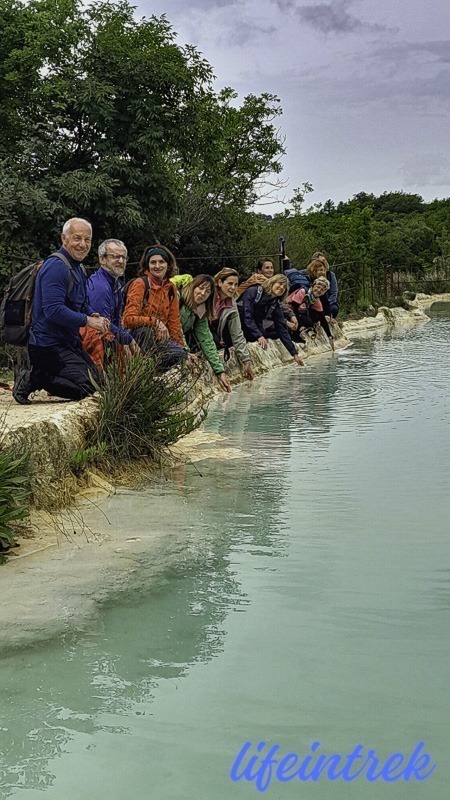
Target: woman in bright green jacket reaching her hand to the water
[[196, 309]]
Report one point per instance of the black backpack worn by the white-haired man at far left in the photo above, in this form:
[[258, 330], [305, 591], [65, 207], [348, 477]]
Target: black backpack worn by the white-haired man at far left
[[17, 303]]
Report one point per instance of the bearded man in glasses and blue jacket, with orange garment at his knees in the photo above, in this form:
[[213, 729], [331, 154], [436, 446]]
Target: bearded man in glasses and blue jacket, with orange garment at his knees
[[105, 297]]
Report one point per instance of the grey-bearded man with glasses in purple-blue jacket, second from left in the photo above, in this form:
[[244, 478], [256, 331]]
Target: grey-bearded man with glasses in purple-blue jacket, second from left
[[104, 289]]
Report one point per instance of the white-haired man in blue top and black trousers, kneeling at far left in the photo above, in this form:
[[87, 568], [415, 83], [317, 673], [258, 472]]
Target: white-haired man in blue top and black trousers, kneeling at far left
[[58, 363]]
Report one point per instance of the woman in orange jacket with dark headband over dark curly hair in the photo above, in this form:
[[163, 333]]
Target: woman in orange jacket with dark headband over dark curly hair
[[151, 307]]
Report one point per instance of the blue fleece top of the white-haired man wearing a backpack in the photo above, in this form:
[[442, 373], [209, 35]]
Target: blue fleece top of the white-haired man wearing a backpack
[[57, 313]]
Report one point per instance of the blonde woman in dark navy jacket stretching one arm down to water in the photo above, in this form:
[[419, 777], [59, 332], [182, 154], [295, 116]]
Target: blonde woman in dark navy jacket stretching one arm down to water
[[262, 317]]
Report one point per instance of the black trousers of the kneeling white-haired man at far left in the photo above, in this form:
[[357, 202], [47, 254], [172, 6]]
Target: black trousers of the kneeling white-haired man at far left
[[63, 370]]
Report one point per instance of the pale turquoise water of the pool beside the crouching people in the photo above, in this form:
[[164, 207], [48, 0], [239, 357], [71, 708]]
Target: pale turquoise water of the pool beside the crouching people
[[306, 598]]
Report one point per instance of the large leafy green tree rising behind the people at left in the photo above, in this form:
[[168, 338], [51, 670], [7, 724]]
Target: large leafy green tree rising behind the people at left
[[103, 115]]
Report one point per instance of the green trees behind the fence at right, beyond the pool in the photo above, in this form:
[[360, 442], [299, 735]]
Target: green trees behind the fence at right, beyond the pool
[[371, 241]]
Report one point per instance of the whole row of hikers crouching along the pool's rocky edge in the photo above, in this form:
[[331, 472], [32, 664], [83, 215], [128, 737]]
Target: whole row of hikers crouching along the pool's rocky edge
[[78, 323]]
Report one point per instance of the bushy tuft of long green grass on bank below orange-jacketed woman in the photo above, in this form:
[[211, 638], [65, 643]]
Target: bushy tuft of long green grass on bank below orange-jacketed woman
[[141, 411]]
